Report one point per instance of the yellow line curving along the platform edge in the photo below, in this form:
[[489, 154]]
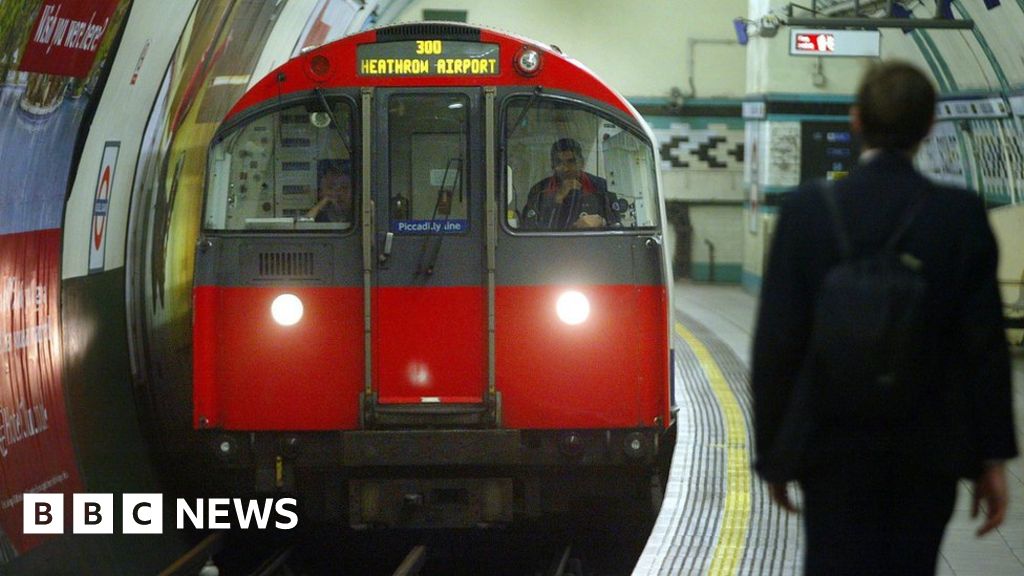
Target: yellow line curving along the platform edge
[[736, 518]]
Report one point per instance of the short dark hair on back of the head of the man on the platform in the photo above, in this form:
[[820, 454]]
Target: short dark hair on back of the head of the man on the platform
[[898, 105]]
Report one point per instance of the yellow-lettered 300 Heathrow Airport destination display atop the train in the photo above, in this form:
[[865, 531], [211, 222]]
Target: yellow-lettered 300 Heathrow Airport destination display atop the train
[[428, 58]]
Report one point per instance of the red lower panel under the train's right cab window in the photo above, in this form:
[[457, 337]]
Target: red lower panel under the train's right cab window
[[611, 372]]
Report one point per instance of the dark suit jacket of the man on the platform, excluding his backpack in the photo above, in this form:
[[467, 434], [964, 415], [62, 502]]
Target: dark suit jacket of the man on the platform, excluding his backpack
[[966, 418]]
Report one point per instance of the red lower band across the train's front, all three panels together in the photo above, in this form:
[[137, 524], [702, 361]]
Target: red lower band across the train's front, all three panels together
[[609, 373]]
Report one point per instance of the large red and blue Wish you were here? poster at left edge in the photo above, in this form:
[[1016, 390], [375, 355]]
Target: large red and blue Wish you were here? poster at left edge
[[52, 53]]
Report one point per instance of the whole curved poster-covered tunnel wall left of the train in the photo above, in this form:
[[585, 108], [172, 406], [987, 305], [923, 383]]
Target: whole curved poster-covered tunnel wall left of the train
[[72, 419]]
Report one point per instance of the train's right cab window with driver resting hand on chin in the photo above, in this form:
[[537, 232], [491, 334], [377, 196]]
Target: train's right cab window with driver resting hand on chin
[[571, 170]]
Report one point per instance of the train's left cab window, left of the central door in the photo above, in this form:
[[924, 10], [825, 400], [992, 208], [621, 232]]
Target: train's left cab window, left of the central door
[[289, 170]]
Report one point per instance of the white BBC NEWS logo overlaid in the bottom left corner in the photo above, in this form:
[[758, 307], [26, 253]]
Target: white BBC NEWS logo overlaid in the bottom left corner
[[144, 514]]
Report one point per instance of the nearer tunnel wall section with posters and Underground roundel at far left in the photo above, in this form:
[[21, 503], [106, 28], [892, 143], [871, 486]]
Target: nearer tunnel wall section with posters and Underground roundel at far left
[[71, 140]]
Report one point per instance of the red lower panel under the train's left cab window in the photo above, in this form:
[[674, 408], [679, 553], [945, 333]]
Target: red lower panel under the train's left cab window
[[251, 374]]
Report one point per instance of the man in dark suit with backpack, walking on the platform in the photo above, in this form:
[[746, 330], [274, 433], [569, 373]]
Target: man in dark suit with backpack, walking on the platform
[[880, 368]]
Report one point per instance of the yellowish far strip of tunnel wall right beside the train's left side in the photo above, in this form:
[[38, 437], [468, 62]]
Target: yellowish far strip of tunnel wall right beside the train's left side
[[226, 50]]
